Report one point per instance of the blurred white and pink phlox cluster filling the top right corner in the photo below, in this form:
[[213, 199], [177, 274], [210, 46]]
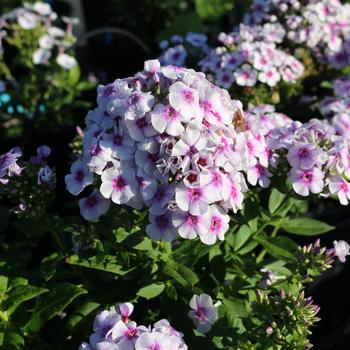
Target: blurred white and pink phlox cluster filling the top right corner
[[321, 25]]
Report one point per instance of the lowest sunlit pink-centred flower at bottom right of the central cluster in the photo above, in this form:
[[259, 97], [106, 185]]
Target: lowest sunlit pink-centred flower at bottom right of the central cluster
[[217, 223]]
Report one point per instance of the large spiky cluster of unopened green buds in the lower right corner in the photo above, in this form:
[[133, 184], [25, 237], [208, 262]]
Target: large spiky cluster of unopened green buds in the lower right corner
[[285, 318]]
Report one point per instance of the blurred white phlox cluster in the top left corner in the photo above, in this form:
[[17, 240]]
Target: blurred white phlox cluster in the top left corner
[[53, 41]]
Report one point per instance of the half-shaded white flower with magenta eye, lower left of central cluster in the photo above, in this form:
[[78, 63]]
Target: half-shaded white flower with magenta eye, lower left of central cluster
[[119, 184]]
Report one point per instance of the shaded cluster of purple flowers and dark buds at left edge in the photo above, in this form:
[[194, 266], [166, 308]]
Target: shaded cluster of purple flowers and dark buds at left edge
[[26, 184]]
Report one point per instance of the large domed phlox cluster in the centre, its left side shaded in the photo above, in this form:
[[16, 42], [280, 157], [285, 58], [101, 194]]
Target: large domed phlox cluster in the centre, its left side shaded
[[170, 140]]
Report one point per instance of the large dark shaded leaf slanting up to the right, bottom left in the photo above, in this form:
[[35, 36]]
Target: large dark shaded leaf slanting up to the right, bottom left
[[57, 300]]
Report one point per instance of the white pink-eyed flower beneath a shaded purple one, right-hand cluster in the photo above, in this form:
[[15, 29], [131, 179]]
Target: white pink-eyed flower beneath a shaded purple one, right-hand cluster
[[306, 181]]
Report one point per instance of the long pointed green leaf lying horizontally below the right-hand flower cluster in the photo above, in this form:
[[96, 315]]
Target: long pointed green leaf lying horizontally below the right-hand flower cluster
[[306, 226]]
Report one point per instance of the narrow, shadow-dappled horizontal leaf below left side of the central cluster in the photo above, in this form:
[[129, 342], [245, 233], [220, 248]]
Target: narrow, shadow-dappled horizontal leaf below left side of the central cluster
[[106, 263]]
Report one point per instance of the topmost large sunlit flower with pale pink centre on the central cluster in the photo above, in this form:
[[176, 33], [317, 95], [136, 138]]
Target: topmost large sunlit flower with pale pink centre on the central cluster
[[185, 100]]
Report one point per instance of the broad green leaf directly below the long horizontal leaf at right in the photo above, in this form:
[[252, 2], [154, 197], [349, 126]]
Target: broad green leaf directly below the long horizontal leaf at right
[[279, 247]]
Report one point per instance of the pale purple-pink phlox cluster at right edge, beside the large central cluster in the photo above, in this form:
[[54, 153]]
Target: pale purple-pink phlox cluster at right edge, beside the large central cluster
[[313, 155]]
